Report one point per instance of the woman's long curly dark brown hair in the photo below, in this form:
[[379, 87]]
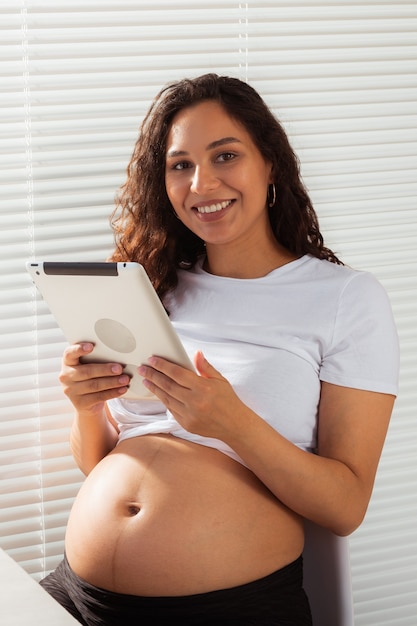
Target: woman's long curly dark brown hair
[[145, 227]]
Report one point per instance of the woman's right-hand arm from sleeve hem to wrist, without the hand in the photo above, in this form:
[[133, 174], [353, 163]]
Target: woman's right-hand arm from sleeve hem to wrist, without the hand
[[331, 488]]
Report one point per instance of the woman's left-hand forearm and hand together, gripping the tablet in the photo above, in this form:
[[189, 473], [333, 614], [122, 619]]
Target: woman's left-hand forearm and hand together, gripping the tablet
[[94, 433]]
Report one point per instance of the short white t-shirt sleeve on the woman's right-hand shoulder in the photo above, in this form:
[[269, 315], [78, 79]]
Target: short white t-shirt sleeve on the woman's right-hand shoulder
[[363, 352]]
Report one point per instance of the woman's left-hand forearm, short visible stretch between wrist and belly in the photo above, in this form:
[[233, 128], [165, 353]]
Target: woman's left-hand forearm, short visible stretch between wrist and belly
[[92, 438]]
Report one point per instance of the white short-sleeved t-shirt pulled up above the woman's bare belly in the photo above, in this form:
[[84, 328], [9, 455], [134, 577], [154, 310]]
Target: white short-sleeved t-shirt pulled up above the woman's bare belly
[[275, 339]]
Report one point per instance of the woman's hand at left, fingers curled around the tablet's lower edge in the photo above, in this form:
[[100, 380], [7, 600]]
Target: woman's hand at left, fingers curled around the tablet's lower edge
[[89, 385]]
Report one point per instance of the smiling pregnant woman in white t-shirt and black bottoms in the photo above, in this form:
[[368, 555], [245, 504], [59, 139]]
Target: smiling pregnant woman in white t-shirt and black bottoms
[[193, 506]]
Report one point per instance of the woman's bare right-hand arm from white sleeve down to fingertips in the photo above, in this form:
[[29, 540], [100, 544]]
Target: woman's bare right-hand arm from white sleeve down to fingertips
[[332, 488]]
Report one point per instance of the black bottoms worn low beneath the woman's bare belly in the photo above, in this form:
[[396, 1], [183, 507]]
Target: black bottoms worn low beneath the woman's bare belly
[[277, 599]]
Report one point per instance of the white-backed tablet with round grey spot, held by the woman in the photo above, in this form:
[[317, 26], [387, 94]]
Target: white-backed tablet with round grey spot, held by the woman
[[114, 306]]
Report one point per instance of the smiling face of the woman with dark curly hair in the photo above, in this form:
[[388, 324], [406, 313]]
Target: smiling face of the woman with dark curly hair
[[216, 178]]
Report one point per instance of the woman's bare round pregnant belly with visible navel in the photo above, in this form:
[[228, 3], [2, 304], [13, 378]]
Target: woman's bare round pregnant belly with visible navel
[[163, 516]]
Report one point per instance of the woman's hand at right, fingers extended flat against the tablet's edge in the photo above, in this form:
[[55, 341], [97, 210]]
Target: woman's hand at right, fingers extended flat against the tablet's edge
[[204, 403]]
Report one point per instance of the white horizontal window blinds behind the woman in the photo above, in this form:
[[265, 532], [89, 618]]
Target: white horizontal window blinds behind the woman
[[77, 78]]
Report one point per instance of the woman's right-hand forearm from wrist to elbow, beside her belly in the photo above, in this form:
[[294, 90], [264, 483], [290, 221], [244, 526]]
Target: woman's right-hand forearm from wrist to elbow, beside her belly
[[323, 490]]
